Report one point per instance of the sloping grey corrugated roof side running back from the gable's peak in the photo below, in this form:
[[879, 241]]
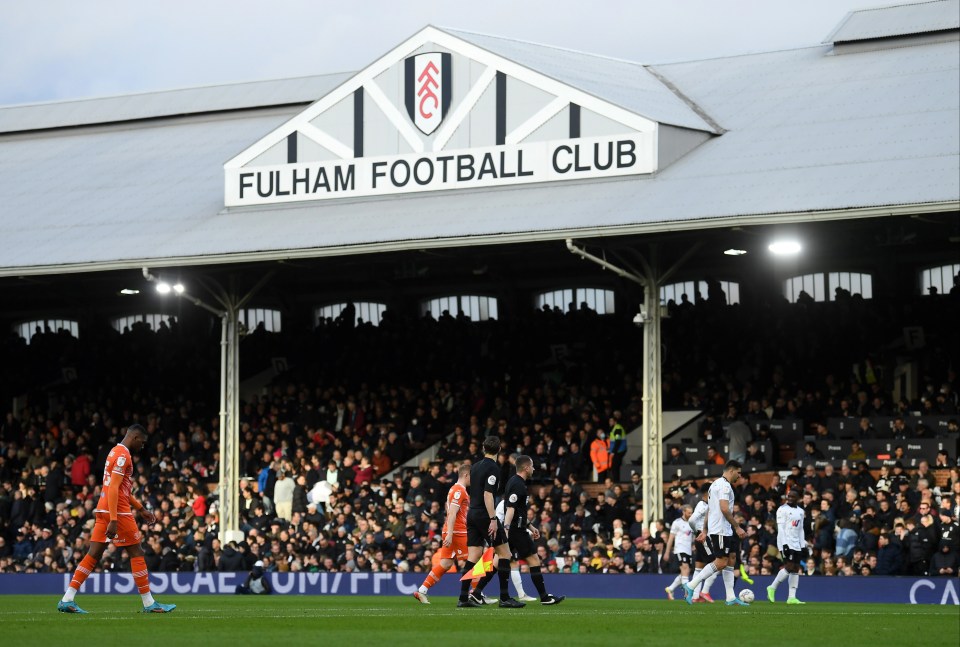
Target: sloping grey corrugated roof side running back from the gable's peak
[[628, 85]]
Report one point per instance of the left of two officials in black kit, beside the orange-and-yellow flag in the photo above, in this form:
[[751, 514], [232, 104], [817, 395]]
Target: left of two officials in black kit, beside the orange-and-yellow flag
[[484, 528]]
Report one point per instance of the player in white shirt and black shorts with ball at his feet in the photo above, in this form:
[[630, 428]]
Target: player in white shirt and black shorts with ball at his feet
[[723, 532]]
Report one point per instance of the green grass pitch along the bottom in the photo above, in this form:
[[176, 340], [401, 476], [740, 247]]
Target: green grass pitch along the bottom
[[353, 621]]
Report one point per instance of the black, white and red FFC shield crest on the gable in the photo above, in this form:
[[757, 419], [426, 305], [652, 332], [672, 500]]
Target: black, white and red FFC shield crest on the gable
[[427, 89]]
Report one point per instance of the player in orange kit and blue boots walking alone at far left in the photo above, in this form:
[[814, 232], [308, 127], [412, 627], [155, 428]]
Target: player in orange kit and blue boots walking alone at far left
[[115, 523]]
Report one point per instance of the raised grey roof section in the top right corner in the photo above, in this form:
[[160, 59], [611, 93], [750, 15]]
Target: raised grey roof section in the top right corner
[[897, 20]]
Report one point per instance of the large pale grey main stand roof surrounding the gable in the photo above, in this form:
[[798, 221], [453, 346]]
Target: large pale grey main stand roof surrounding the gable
[[808, 135]]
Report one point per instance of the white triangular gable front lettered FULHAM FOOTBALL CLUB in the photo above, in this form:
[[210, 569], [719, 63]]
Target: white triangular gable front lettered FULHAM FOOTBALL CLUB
[[319, 154]]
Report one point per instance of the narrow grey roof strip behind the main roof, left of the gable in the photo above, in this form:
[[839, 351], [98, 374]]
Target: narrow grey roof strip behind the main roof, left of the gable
[[165, 104]]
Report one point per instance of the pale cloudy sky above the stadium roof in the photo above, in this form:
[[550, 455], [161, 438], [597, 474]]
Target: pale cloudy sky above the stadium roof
[[54, 50]]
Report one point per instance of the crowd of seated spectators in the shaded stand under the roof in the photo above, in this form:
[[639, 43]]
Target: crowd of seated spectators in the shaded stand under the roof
[[317, 448]]
